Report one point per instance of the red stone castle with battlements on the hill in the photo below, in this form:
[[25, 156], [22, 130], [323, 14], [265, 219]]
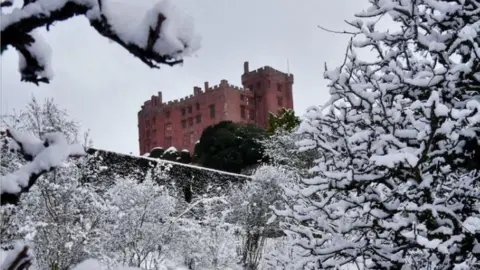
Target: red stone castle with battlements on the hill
[[180, 123]]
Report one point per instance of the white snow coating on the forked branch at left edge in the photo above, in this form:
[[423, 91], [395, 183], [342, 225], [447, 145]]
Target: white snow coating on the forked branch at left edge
[[45, 158]]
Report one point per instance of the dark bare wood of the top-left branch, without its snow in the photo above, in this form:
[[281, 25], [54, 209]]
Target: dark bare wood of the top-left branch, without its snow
[[16, 32]]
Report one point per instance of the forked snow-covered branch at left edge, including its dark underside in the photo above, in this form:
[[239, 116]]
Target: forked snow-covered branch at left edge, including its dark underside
[[44, 156]]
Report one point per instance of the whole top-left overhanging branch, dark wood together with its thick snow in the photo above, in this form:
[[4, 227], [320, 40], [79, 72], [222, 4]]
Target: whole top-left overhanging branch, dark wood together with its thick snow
[[150, 40]]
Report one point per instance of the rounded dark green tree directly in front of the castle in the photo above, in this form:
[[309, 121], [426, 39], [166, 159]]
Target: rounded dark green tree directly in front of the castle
[[230, 146]]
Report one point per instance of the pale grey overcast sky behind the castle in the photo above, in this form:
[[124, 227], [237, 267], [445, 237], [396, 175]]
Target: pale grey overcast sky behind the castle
[[103, 86]]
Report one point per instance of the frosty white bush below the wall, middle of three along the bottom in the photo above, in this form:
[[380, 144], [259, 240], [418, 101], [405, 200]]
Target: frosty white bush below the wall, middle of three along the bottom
[[141, 236]]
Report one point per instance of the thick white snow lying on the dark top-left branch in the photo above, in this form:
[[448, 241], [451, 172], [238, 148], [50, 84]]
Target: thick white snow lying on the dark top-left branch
[[131, 21]]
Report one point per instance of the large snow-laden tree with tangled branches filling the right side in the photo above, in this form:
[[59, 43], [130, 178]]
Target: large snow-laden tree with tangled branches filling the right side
[[396, 184]]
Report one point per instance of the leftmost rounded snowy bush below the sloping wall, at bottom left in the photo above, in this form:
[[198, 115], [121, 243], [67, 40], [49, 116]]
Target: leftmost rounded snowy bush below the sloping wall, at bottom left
[[63, 218]]
